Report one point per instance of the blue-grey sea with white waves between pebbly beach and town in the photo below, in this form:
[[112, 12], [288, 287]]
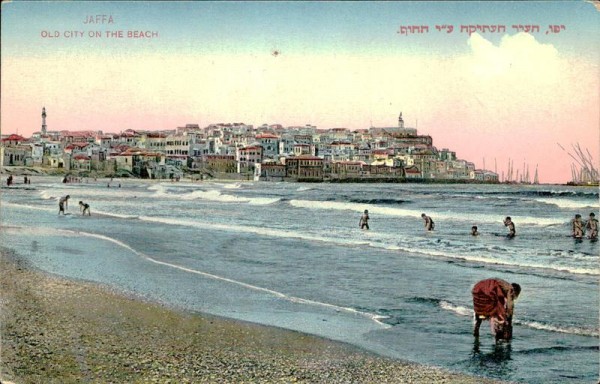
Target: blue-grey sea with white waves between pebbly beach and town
[[292, 255]]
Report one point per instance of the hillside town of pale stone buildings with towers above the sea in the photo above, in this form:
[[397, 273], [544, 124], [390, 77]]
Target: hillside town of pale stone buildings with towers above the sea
[[243, 152]]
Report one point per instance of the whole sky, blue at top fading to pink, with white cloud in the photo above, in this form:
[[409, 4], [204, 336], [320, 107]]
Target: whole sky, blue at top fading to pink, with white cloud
[[491, 94]]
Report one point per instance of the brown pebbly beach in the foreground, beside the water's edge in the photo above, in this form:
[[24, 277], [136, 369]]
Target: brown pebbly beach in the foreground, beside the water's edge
[[58, 330]]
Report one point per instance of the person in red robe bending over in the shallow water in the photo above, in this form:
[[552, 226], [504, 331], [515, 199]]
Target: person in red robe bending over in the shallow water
[[493, 299]]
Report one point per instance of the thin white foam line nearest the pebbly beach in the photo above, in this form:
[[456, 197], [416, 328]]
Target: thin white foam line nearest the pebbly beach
[[293, 299]]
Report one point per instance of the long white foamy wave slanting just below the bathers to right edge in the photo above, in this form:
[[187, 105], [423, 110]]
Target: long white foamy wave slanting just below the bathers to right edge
[[431, 247]]
